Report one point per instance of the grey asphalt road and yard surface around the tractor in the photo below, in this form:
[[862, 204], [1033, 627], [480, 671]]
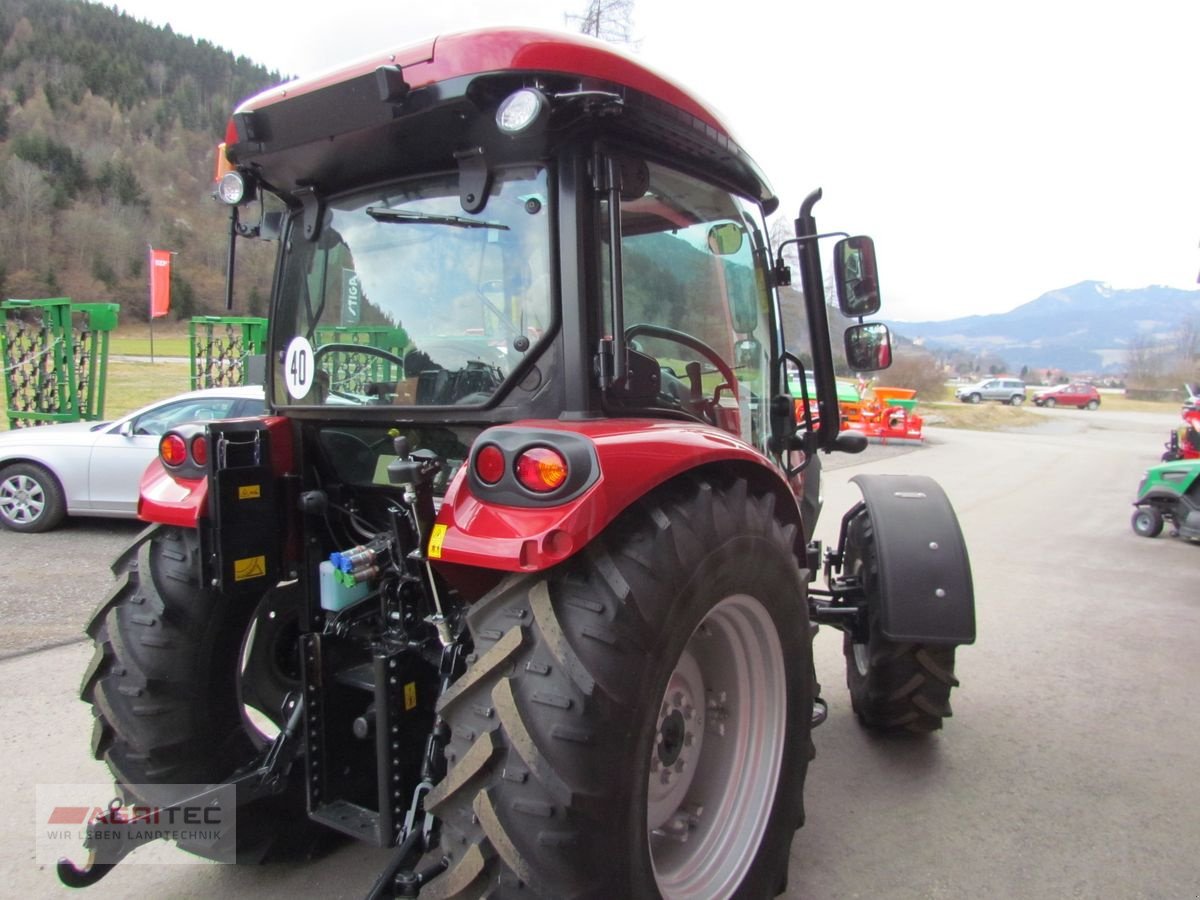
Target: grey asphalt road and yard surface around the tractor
[[1069, 771]]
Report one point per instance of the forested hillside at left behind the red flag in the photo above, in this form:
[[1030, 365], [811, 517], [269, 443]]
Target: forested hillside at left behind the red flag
[[109, 129]]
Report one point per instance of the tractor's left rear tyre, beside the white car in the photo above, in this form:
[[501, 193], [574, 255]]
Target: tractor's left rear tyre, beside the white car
[[170, 692]]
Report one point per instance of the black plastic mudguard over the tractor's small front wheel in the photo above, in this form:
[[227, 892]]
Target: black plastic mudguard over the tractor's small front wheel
[[926, 590]]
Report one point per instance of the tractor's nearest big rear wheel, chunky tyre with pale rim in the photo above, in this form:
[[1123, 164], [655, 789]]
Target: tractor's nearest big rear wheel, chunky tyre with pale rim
[[635, 723]]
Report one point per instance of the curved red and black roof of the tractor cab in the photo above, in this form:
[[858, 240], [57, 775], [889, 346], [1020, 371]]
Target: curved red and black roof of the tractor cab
[[301, 119]]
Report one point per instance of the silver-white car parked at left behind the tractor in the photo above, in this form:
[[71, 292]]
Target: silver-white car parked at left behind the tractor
[[94, 469]]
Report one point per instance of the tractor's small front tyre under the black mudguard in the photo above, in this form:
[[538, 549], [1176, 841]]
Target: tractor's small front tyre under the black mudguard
[[893, 687]]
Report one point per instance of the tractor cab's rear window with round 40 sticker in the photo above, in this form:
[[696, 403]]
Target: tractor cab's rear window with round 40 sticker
[[405, 299]]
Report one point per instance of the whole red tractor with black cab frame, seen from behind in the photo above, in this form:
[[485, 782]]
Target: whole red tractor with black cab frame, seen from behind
[[517, 579]]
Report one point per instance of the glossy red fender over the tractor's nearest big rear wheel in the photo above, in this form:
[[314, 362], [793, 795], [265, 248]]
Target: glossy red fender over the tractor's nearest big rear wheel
[[633, 458]]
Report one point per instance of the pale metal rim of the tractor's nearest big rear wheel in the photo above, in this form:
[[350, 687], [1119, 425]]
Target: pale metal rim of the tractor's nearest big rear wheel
[[718, 752]]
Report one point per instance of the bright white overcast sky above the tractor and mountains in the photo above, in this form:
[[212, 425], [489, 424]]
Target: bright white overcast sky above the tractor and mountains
[[995, 152]]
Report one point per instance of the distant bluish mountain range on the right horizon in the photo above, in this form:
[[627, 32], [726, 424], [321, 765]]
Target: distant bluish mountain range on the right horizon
[[1088, 328]]
